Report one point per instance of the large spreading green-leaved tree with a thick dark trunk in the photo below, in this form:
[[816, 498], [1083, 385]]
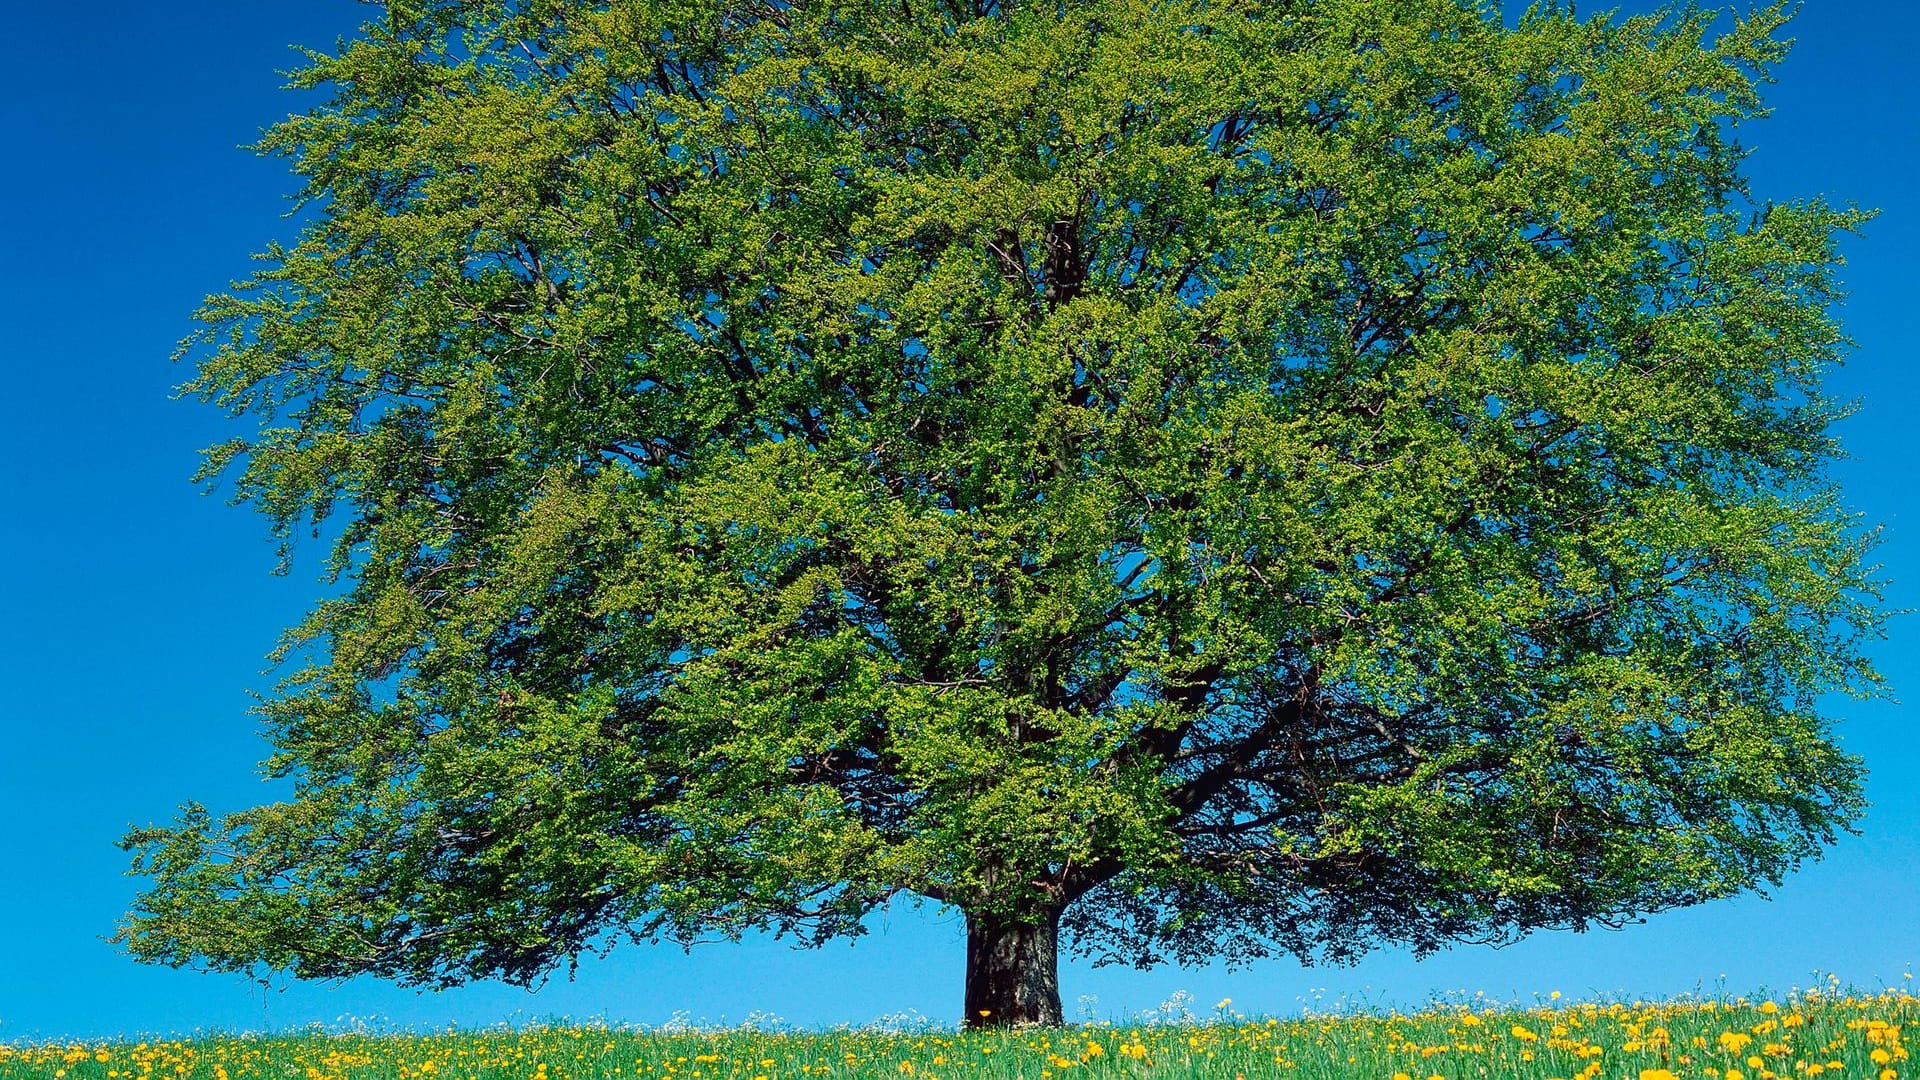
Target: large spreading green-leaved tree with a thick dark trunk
[[1212, 478]]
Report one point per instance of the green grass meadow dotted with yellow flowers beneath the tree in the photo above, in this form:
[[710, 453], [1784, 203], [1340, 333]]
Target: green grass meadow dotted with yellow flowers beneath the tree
[[1810, 1035]]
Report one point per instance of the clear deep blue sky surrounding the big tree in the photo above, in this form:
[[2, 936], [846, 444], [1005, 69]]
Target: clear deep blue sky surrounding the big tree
[[137, 612]]
